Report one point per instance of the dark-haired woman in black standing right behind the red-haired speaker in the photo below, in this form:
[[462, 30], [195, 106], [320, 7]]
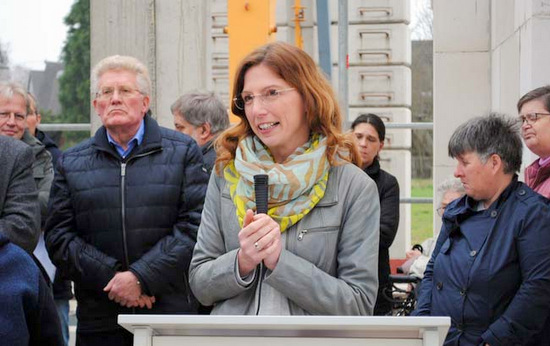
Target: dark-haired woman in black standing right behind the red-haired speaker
[[369, 131]]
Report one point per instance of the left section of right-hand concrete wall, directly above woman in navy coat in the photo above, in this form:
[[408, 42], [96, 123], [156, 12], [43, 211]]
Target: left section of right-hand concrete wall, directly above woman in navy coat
[[462, 74]]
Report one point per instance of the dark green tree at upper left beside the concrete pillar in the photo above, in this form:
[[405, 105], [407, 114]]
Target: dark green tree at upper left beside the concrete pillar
[[74, 84]]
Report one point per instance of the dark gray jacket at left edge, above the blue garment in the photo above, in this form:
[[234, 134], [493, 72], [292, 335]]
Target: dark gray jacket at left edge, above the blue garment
[[19, 211]]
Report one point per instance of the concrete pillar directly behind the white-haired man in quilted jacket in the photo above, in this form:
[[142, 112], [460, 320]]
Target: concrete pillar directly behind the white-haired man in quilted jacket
[[169, 36]]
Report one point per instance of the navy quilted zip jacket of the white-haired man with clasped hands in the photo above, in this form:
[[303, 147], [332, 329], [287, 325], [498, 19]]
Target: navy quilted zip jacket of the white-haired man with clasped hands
[[141, 213]]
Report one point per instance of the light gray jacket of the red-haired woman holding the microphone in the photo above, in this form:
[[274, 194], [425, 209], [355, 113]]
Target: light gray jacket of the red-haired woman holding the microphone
[[329, 261]]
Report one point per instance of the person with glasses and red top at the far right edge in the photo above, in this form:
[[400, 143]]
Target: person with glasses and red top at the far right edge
[[534, 114]]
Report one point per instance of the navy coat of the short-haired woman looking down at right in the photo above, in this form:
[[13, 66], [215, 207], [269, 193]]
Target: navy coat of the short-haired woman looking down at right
[[498, 292]]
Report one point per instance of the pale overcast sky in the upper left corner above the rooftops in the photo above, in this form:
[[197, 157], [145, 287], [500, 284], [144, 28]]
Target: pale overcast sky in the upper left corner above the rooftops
[[33, 30]]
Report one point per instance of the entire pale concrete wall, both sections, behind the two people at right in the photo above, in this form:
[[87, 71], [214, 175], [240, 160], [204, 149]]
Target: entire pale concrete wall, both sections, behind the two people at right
[[487, 54]]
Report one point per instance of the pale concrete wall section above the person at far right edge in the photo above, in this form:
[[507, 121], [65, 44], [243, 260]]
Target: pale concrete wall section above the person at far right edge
[[520, 53]]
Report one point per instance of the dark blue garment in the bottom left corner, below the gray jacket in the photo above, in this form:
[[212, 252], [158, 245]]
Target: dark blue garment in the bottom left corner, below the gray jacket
[[28, 315]]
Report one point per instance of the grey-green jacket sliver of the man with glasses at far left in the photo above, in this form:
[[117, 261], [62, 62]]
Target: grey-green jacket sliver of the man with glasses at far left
[[42, 171]]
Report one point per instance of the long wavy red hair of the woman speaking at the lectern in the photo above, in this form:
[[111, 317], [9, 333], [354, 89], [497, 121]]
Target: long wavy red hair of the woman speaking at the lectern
[[299, 70]]
